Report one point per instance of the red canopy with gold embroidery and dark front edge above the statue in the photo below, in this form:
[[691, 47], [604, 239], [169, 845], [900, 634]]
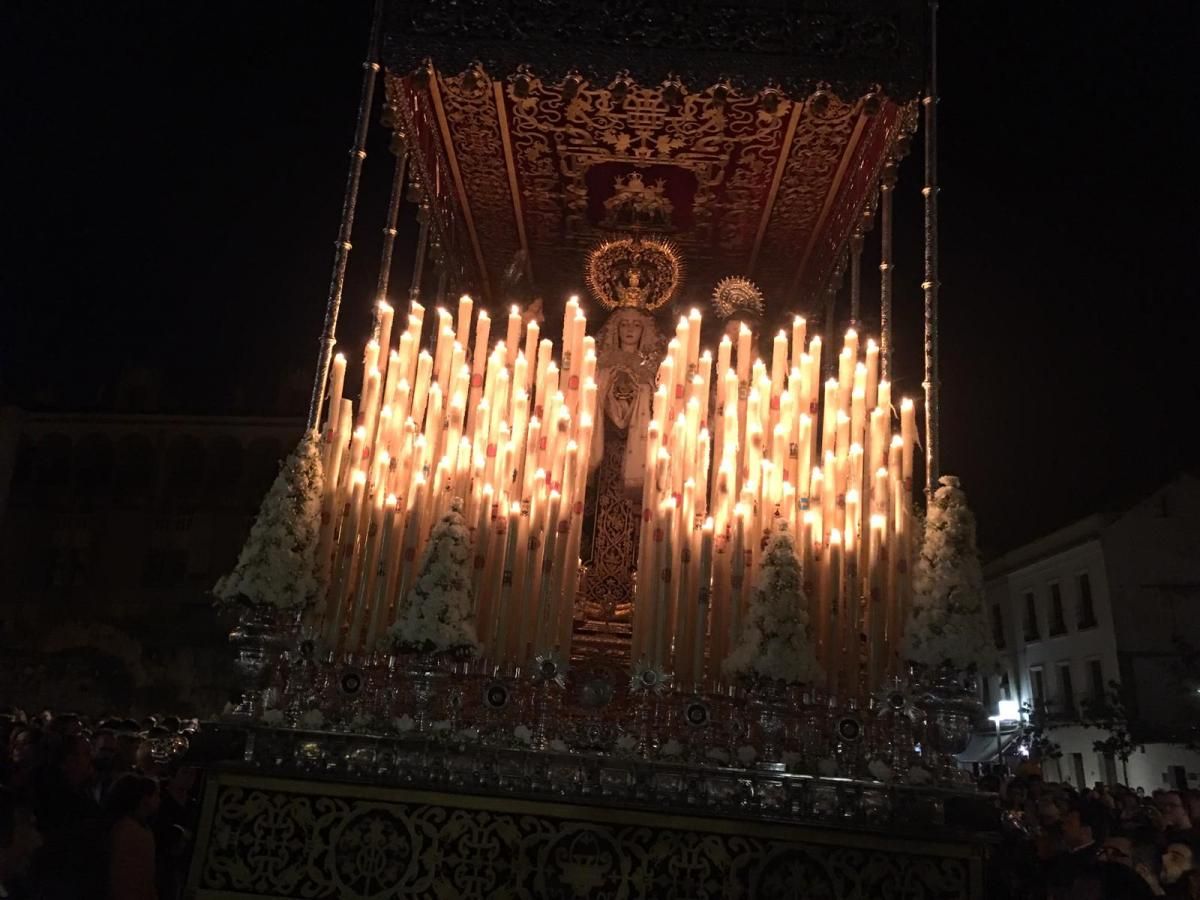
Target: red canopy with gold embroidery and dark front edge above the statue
[[751, 135]]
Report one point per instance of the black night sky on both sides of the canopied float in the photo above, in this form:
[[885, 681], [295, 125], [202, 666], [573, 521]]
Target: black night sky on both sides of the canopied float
[[175, 175]]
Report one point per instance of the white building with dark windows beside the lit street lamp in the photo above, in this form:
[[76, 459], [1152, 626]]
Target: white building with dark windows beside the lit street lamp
[[1099, 602]]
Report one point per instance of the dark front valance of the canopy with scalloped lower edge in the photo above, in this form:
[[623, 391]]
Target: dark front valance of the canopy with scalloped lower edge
[[848, 45]]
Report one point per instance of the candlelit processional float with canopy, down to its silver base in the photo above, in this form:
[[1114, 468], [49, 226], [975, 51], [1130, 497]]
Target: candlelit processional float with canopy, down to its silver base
[[667, 560]]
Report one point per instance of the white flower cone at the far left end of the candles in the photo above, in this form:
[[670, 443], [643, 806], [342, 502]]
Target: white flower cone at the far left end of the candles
[[278, 566]]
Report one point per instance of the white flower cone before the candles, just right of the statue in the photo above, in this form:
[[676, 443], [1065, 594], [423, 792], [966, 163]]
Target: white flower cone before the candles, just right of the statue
[[775, 643]]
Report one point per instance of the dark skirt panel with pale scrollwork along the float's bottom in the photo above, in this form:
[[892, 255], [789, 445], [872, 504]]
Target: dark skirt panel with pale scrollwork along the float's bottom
[[268, 837]]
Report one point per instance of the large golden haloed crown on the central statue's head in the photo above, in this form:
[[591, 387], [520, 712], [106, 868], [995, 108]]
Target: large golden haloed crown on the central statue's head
[[640, 273]]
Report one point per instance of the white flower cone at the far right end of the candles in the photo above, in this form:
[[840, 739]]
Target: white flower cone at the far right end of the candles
[[949, 623]]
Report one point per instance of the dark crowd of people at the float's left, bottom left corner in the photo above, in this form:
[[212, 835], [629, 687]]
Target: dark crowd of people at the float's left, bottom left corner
[[94, 809]]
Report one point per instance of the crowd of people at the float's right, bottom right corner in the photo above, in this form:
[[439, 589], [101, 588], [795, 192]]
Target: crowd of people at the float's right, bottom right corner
[[1108, 843]]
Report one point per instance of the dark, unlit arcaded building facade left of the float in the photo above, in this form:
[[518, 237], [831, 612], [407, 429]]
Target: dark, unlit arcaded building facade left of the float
[[113, 530]]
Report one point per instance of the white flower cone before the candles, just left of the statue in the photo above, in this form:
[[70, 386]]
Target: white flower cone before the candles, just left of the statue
[[439, 613]]
